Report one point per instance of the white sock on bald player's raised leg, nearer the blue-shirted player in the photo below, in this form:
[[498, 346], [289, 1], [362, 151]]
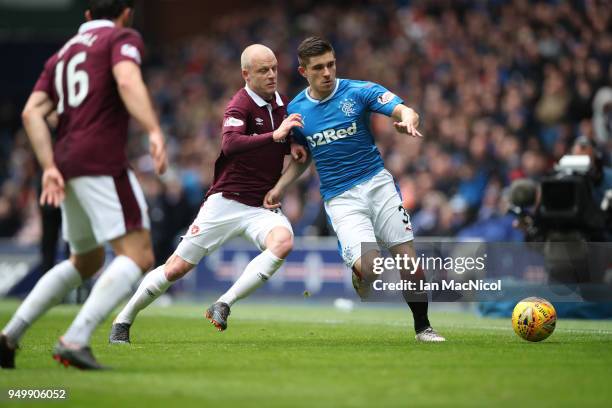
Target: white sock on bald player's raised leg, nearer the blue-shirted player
[[259, 270]]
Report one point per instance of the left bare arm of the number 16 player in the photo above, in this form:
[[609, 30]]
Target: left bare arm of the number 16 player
[[34, 115]]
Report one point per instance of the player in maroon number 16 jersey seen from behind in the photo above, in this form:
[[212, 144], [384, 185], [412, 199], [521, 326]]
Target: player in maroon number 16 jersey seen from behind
[[93, 84]]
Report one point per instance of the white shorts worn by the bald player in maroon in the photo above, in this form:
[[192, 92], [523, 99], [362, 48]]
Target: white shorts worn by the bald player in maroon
[[220, 220]]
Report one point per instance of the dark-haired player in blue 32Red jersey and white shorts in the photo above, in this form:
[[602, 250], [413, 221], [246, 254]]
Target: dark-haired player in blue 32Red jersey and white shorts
[[360, 196]]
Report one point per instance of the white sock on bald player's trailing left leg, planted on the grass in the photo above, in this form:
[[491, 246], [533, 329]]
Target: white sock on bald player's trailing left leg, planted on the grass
[[152, 286]]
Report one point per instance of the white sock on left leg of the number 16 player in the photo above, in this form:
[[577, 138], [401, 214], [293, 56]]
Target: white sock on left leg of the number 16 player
[[48, 291]]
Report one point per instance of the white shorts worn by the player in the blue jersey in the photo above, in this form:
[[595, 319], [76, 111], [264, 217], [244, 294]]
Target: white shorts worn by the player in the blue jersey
[[370, 212]]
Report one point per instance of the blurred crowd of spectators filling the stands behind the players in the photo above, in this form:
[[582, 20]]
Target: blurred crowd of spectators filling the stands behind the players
[[503, 89]]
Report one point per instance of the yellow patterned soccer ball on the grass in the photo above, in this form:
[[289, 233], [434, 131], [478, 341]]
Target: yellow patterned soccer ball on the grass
[[534, 319]]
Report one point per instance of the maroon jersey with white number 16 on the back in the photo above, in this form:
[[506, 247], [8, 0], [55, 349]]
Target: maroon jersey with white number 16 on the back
[[93, 121]]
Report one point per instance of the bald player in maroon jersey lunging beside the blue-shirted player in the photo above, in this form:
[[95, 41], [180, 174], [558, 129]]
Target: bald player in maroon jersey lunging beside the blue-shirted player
[[253, 146]]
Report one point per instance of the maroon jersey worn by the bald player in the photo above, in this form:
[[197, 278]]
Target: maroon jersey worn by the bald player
[[250, 162]]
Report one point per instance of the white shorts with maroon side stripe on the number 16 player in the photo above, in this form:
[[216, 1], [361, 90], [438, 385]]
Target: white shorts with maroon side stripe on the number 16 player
[[98, 209]]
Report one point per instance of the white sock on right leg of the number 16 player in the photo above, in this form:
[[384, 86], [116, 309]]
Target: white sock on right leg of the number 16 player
[[112, 287]]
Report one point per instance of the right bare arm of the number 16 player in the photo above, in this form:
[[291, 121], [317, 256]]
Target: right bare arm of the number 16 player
[[135, 96]]
